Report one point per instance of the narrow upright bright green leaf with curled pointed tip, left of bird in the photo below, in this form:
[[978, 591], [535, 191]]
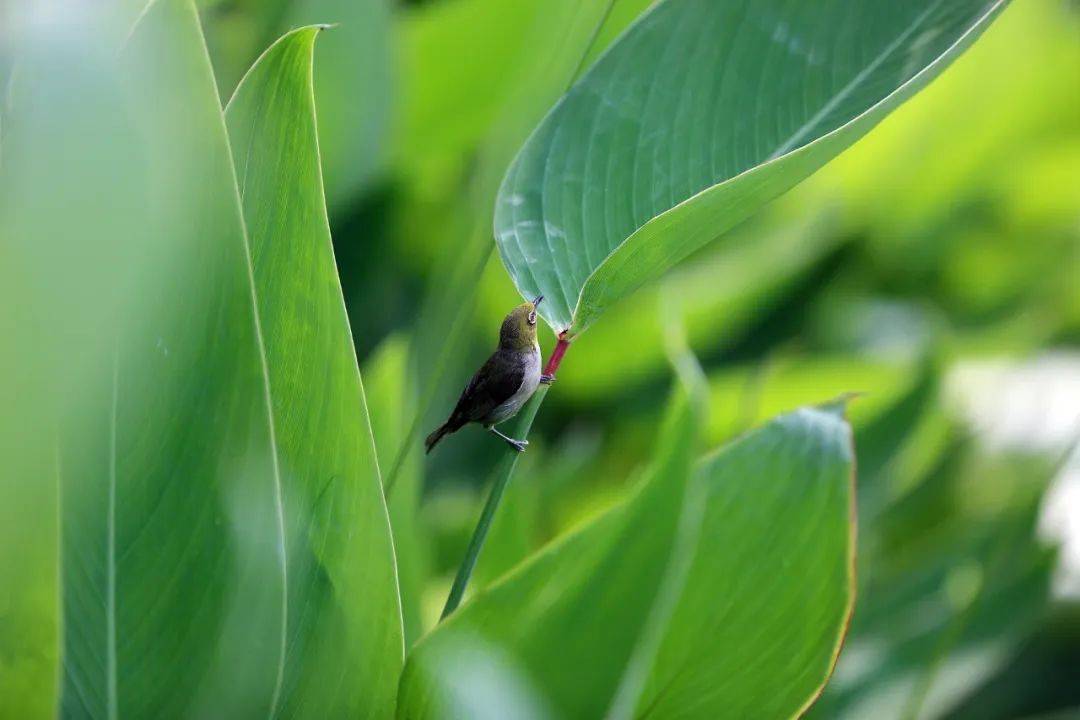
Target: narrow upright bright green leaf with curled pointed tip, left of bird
[[345, 647]]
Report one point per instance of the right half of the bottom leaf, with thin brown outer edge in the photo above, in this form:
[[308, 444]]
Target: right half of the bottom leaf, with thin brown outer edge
[[760, 624]]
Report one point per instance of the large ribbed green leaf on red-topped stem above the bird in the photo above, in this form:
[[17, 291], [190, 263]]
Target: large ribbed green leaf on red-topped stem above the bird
[[700, 114]]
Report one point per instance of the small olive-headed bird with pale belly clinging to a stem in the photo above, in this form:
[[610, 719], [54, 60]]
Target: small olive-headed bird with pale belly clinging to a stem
[[509, 378]]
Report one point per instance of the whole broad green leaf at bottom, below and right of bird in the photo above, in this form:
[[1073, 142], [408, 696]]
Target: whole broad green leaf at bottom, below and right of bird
[[725, 594]]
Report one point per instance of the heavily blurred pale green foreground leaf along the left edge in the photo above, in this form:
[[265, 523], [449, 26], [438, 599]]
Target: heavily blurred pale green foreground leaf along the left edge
[[64, 273]]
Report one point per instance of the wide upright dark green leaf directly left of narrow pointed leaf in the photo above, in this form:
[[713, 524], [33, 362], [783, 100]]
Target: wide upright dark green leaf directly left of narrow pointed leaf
[[172, 559]]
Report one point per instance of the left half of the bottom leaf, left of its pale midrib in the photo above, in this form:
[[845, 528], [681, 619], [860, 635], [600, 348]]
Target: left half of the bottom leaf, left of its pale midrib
[[603, 579]]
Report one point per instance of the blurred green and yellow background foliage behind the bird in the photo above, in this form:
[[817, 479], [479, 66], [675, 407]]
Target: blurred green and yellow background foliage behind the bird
[[935, 268]]
